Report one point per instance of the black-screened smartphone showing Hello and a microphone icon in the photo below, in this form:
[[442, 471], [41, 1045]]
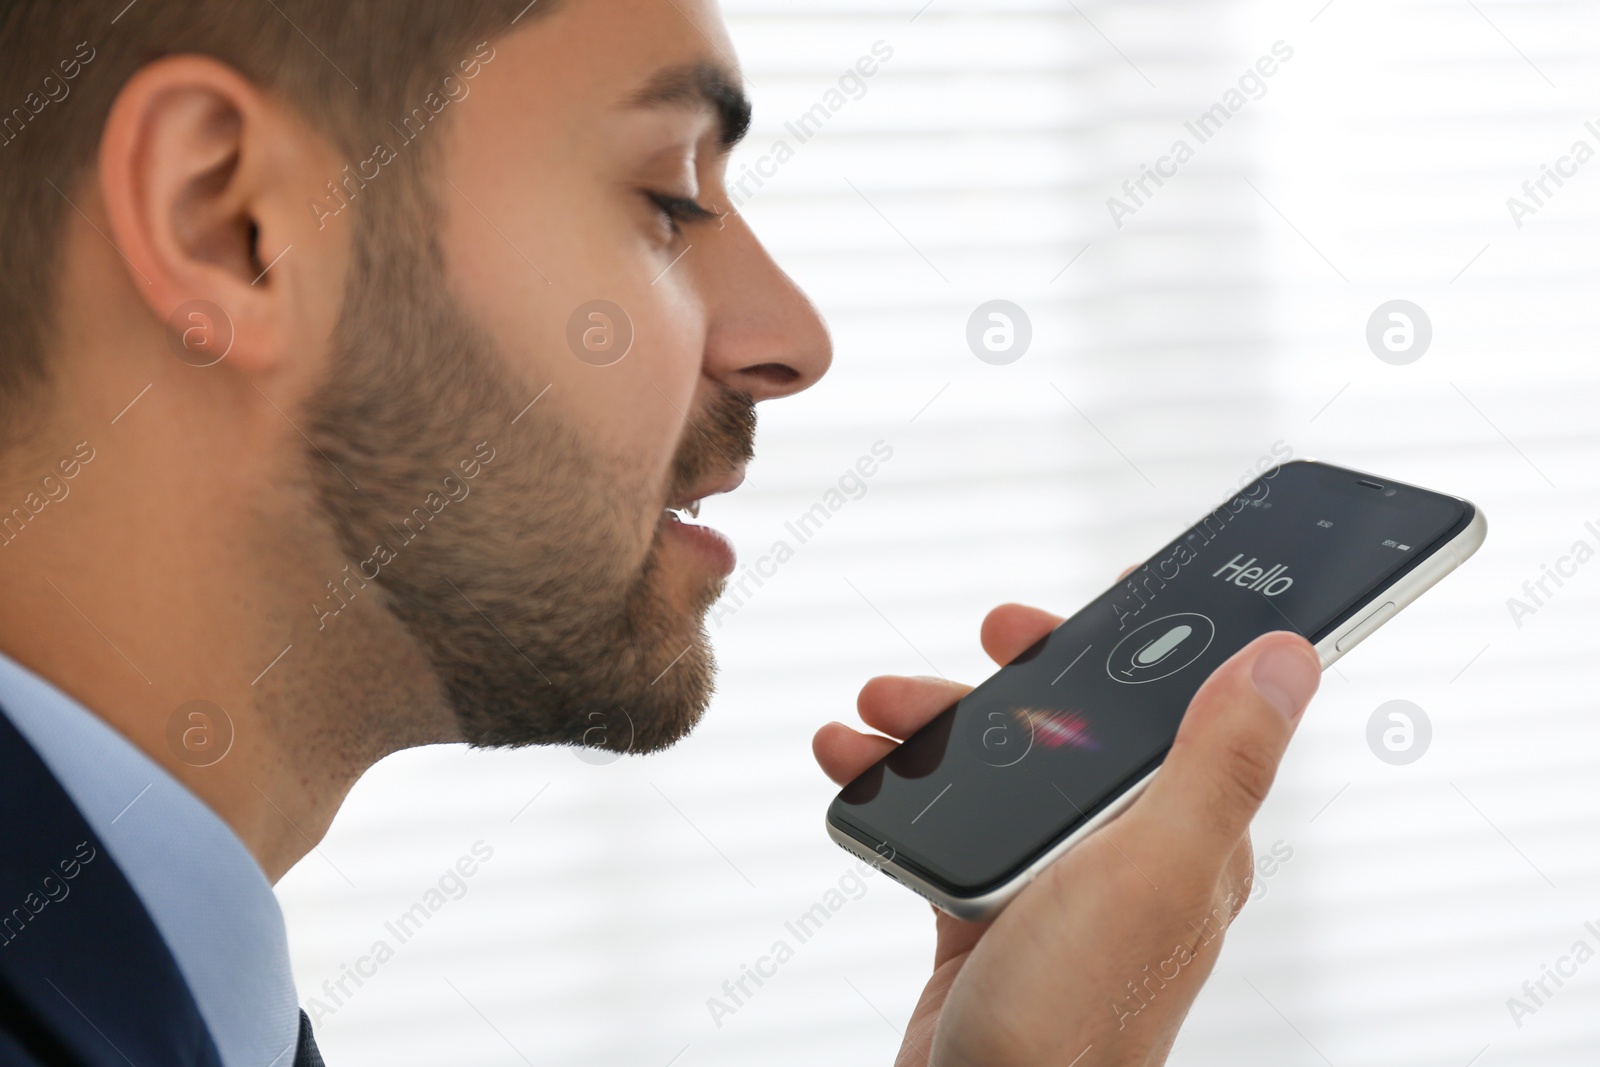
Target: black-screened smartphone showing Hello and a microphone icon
[[972, 807]]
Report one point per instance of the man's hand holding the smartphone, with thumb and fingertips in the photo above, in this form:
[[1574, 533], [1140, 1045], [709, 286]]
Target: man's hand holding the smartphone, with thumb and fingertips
[[1098, 961]]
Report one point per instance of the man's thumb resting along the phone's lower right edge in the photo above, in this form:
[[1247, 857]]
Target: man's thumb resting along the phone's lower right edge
[[1228, 751]]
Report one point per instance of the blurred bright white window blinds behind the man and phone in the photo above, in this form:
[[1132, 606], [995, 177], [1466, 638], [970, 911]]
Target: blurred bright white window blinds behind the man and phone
[[1175, 342]]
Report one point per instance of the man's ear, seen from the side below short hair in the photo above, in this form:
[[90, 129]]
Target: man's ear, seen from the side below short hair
[[206, 183]]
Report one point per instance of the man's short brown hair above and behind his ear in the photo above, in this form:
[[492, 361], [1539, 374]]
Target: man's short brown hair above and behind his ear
[[351, 66]]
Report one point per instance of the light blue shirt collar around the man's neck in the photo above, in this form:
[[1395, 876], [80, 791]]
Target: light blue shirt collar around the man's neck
[[204, 890]]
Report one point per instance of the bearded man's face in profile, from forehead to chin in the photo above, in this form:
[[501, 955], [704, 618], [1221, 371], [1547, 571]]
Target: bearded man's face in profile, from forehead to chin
[[556, 596]]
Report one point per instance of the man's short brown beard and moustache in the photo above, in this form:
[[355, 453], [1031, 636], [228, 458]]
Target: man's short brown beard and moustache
[[526, 589]]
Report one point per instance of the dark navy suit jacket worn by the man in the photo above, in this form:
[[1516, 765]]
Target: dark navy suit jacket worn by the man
[[86, 977]]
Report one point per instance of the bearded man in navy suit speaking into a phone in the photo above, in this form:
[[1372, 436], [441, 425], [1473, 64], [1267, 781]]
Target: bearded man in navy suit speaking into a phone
[[364, 366]]
